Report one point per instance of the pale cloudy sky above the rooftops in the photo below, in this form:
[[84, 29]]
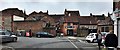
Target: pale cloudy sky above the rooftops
[[85, 7]]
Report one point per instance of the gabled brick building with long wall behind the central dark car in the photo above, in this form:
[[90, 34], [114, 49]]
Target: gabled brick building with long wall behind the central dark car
[[36, 21]]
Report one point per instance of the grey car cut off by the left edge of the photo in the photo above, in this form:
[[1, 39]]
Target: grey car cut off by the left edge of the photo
[[7, 36]]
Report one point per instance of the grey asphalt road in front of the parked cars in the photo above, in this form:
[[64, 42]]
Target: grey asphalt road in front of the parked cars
[[50, 43]]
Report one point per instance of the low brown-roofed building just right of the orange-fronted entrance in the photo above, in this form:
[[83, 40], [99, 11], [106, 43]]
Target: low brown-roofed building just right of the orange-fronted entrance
[[88, 26]]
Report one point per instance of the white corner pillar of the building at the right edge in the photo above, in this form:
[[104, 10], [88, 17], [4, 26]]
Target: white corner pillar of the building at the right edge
[[116, 15]]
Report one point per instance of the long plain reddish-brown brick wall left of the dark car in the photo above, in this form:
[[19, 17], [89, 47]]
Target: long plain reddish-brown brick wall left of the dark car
[[35, 26]]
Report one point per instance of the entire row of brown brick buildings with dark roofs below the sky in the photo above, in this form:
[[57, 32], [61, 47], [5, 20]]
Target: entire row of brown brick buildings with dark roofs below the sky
[[68, 23]]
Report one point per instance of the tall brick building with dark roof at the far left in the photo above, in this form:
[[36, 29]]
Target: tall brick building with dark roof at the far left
[[7, 17]]
